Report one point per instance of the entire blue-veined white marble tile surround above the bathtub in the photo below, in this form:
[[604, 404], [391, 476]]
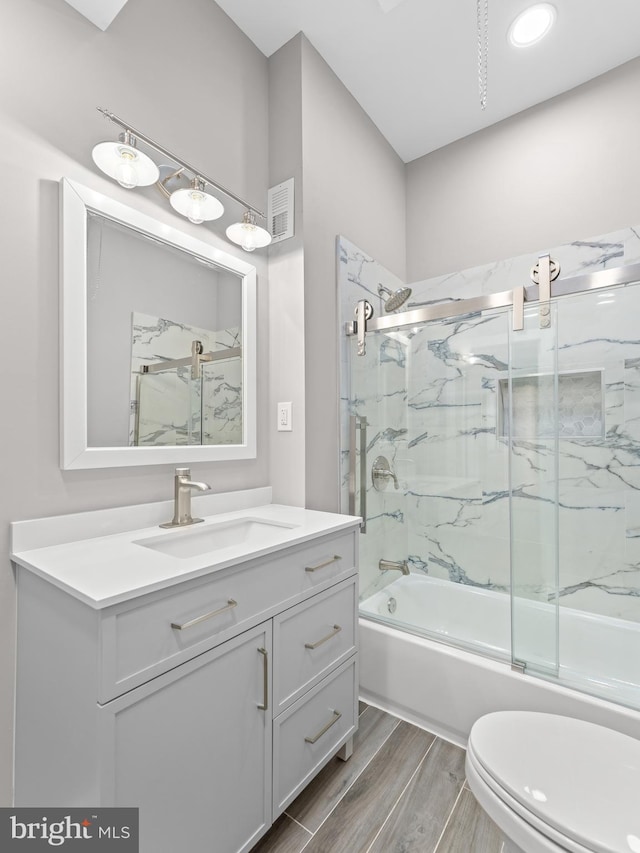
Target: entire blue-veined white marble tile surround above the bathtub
[[466, 509]]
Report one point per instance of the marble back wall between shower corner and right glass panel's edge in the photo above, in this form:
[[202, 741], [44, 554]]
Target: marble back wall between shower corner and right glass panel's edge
[[460, 486]]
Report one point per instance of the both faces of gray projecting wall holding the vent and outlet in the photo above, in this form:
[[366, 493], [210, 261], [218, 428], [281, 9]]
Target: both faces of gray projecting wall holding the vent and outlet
[[348, 181]]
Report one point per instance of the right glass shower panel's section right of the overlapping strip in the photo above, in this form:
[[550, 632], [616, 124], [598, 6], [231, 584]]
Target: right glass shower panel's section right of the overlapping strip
[[599, 488]]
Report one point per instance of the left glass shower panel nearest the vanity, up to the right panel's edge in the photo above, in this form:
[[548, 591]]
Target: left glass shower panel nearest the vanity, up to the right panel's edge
[[430, 397]]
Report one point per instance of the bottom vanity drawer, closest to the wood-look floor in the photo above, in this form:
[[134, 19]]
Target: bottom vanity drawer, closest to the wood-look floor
[[311, 731]]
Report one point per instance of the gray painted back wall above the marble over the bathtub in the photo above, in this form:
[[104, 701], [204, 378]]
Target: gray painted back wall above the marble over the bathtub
[[565, 170]]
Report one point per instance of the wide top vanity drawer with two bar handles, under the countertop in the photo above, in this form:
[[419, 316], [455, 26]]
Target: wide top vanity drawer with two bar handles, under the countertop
[[146, 637]]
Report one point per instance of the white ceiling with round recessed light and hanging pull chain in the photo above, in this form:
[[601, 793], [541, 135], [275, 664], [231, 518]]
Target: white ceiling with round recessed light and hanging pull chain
[[412, 64]]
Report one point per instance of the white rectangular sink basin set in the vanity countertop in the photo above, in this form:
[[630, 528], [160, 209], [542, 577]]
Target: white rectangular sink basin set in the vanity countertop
[[203, 539]]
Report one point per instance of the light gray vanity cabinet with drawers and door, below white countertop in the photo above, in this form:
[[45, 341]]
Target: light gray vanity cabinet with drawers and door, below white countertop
[[209, 703]]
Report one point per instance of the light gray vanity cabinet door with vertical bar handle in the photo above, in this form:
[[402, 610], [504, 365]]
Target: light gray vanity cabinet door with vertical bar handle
[[192, 749]]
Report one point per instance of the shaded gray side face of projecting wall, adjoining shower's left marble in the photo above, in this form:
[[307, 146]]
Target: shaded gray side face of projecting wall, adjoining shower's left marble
[[353, 185]]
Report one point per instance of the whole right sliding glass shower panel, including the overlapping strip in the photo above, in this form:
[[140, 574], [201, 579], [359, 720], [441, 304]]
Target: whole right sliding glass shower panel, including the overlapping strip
[[574, 421]]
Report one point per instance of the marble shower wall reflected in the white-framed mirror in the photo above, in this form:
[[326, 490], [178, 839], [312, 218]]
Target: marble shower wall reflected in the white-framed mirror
[[170, 408]]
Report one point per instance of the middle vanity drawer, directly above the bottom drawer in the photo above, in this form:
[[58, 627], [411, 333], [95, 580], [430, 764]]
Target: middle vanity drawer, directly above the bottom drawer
[[311, 639]]
